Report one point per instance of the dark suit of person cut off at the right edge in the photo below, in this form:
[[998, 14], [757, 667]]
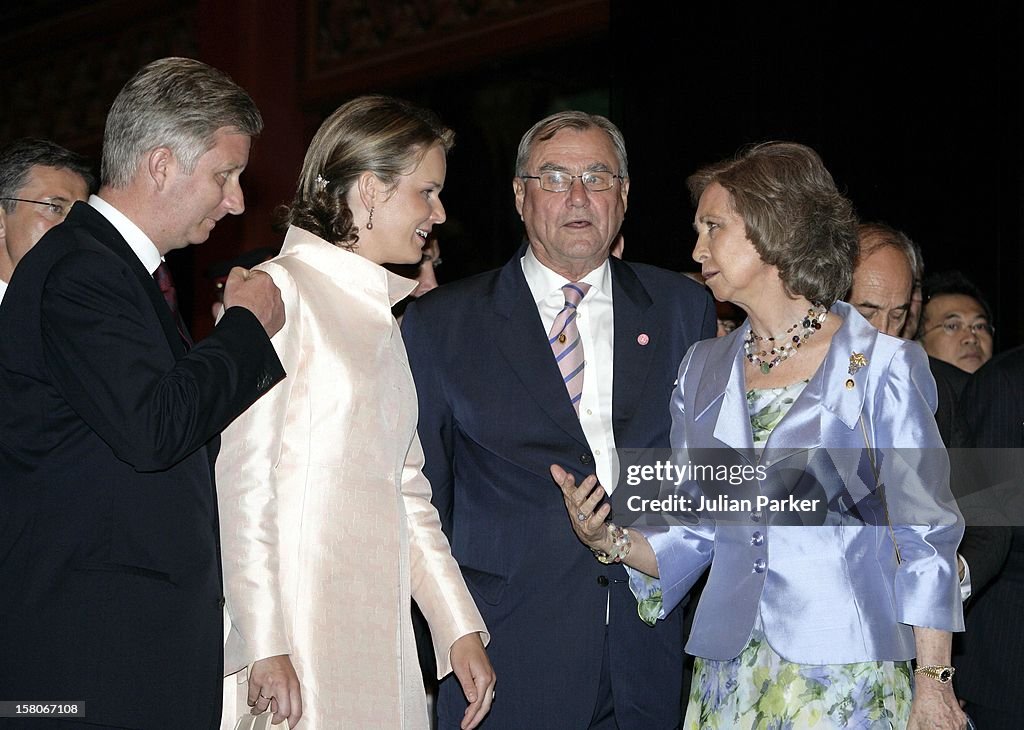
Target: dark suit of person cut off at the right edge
[[992, 416]]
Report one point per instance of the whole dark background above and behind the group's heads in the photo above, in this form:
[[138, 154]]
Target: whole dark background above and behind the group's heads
[[916, 111]]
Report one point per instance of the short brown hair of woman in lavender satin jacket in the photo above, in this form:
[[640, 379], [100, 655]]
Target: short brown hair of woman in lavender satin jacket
[[794, 216]]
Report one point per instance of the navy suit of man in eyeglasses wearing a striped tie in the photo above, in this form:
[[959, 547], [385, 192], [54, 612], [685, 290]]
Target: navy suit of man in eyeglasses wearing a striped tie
[[494, 416]]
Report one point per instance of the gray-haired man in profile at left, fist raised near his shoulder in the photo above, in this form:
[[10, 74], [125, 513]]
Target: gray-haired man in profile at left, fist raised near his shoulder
[[109, 534]]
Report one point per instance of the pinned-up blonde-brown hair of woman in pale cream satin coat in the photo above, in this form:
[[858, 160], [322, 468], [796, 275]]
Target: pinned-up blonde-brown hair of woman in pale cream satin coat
[[374, 134]]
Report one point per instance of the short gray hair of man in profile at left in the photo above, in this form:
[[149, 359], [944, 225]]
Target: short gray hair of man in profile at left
[[175, 103]]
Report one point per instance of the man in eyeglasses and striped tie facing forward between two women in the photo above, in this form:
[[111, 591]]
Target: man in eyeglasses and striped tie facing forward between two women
[[498, 361]]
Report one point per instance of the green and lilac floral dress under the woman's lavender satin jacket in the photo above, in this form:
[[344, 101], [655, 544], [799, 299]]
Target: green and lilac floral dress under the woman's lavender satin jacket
[[760, 691]]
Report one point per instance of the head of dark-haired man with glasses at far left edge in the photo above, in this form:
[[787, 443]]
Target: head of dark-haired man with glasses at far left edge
[[39, 183]]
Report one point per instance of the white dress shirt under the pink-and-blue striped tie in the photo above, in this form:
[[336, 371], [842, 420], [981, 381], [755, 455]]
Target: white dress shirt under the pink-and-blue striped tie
[[598, 329]]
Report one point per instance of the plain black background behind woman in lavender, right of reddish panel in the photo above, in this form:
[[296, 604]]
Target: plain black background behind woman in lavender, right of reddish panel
[[916, 112]]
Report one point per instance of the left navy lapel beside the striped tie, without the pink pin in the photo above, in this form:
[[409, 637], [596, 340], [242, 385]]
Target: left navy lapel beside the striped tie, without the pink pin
[[523, 341]]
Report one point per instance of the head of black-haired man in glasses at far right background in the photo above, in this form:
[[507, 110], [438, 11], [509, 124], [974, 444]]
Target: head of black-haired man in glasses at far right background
[[957, 323]]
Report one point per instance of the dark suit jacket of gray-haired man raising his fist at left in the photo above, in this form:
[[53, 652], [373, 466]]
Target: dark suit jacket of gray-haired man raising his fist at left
[[110, 571]]
